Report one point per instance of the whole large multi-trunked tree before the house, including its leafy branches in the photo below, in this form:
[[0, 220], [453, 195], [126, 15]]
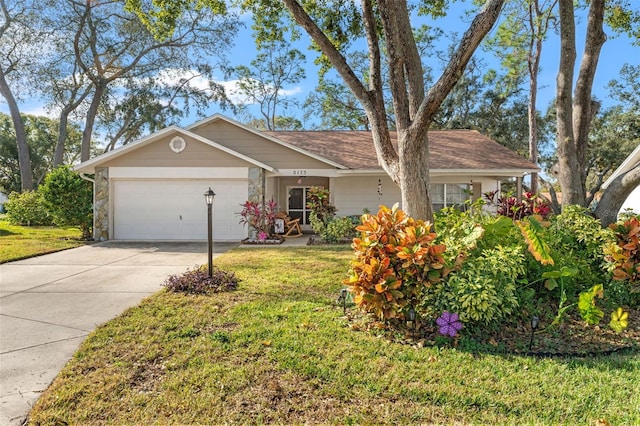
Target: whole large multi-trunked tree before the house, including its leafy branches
[[387, 28]]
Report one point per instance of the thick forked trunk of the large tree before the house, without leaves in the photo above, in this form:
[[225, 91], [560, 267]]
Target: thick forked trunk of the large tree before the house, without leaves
[[409, 167]]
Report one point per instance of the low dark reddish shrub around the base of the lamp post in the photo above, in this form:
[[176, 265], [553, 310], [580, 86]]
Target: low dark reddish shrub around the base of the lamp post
[[197, 281]]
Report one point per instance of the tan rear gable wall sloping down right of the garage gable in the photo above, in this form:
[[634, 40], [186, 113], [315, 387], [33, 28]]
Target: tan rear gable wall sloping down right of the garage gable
[[256, 147]]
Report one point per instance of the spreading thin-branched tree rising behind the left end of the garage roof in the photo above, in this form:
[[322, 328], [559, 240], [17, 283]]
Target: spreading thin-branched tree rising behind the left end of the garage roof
[[112, 45]]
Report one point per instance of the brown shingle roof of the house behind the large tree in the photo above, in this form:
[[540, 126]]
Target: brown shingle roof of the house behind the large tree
[[449, 149]]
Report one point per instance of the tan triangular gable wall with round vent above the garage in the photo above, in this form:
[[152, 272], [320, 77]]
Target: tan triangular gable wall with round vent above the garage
[[196, 154]]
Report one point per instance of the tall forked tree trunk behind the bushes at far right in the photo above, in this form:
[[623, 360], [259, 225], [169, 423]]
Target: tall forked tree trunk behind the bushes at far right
[[574, 116]]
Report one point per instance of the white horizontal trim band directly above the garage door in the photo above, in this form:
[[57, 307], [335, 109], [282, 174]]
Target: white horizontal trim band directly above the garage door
[[178, 172]]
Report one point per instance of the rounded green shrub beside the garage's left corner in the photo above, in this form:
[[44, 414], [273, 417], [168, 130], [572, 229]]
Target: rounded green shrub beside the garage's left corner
[[69, 199]]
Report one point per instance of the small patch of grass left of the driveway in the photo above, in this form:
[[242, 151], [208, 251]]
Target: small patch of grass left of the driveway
[[19, 242]]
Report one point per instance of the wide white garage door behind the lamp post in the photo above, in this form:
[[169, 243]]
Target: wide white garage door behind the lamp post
[[176, 209]]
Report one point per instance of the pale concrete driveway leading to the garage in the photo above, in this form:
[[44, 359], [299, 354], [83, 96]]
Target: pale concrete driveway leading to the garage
[[49, 304]]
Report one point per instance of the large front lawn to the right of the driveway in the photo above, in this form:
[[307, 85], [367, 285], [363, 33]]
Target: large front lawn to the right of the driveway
[[279, 350]]
